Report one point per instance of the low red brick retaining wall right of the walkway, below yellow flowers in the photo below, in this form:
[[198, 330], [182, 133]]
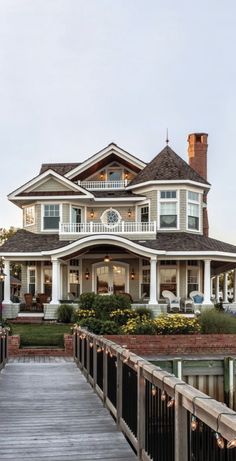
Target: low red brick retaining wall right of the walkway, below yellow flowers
[[147, 345]]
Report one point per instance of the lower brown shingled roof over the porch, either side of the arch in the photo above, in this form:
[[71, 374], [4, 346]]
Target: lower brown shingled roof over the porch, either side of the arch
[[25, 241]]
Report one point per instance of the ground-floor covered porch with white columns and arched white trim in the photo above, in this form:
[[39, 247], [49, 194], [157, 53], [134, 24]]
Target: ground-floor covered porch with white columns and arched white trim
[[108, 264]]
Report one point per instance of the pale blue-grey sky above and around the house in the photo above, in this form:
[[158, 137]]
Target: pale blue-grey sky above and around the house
[[76, 75]]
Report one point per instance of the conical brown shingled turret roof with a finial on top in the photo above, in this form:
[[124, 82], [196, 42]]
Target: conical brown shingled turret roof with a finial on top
[[167, 165]]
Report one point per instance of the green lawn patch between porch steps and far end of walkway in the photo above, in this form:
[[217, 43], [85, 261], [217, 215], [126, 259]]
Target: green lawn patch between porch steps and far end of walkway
[[42, 335]]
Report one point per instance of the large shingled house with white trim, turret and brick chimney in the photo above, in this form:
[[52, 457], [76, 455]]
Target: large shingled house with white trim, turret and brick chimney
[[114, 224]]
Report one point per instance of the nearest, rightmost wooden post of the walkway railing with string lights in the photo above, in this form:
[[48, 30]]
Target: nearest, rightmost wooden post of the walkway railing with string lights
[[181, 429]]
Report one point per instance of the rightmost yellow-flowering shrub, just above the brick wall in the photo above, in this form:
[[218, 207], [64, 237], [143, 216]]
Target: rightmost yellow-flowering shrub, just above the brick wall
[[176, 324]]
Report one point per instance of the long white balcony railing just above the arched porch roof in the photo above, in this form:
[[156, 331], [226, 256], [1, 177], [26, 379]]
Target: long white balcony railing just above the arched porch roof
[[119, 228]]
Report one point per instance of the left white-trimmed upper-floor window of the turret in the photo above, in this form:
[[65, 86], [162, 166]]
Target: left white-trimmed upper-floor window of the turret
[[168, 209]]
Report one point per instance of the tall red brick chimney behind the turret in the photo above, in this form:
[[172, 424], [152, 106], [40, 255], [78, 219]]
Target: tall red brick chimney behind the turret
[[197, 156]]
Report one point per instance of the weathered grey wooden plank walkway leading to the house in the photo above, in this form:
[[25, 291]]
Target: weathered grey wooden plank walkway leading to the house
[[49, 412]]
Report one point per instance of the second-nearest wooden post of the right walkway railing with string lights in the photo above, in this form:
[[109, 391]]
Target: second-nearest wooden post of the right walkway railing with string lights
[[140, 412]]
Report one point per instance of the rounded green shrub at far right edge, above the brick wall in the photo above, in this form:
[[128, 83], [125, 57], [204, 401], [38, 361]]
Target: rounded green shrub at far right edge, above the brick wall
[[212, 321]]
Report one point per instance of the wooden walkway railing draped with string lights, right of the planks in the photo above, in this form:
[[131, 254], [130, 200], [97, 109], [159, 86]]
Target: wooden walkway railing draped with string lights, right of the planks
[[163, 417]]
